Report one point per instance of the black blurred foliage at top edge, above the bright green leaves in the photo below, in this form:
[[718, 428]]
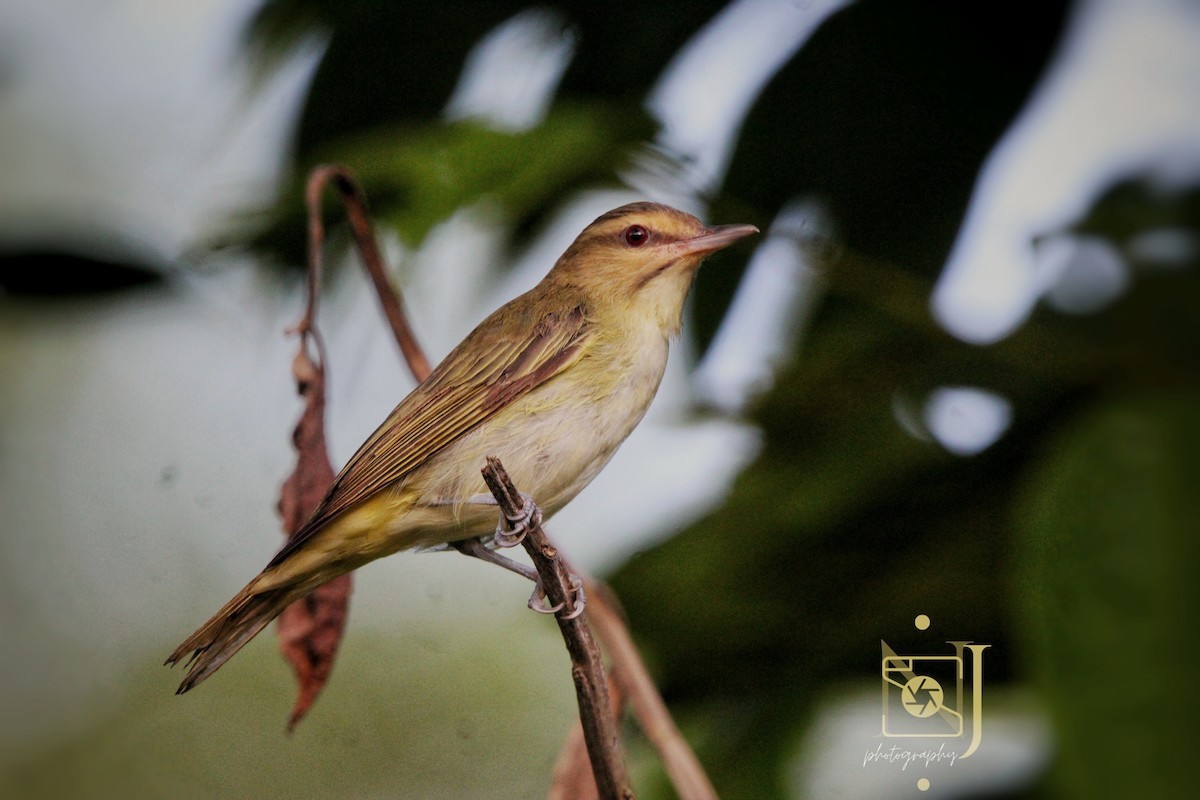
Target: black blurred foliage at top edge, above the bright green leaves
[[389, 64]]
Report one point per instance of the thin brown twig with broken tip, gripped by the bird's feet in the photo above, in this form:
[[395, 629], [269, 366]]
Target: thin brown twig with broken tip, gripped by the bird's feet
[[587, 669]]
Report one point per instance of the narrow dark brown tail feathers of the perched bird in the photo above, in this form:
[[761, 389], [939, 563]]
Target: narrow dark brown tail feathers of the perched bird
[[241, 621]]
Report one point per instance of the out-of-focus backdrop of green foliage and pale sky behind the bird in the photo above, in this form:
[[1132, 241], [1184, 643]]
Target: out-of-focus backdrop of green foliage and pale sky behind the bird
[[956, 378]]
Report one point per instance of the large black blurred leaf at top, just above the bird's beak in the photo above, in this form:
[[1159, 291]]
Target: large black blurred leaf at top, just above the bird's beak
[[887, 113]]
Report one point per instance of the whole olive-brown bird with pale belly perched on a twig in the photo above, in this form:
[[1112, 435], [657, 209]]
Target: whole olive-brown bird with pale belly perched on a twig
[[553, 383]]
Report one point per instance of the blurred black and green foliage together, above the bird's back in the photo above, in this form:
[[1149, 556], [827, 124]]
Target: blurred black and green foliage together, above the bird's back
[[389, 71]]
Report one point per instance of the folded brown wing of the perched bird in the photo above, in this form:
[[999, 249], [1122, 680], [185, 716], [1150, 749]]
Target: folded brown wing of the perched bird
[[473, 383]]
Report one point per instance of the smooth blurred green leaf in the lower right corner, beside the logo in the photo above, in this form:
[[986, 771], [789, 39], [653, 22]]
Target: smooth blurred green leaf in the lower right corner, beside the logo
[[1106, 555]]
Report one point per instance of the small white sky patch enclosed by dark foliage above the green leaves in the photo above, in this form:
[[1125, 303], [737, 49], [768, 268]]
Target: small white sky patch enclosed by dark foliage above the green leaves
[[511, 77]]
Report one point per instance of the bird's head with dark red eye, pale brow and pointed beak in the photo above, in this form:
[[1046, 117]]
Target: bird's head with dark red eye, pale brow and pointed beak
[[640, 260]]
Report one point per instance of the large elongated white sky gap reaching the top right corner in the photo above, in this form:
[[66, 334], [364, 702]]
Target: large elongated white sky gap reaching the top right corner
[[1123, 98]]
